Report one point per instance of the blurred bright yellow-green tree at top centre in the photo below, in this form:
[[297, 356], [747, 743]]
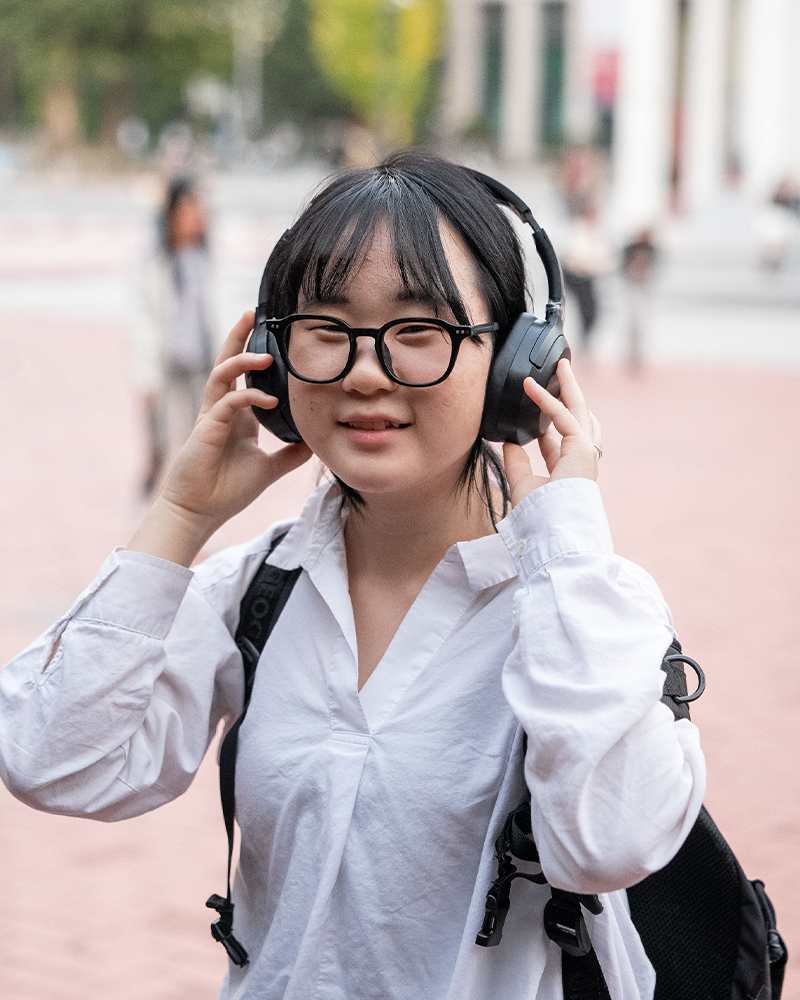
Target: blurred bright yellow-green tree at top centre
[[383, 57]]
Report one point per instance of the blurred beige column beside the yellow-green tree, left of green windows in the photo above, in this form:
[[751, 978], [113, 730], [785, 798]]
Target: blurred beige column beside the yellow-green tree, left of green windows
[[463, 67]]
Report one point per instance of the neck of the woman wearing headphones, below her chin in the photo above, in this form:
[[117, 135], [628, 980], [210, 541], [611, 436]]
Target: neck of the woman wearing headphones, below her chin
[[405, 538]]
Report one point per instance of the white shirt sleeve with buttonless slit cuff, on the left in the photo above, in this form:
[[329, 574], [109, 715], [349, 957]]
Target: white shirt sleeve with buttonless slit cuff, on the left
[[109, 713]]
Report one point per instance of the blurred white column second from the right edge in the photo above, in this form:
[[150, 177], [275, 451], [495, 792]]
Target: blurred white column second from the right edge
[[703, 165]]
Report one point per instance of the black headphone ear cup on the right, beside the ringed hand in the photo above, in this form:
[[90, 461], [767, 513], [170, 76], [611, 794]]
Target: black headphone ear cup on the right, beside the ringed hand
[[533, 348]]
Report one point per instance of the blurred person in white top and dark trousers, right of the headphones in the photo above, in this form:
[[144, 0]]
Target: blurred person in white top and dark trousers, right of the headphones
[[588, 255]]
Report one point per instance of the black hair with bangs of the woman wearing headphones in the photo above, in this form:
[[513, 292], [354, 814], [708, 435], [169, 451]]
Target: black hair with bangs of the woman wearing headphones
[[411, 193]]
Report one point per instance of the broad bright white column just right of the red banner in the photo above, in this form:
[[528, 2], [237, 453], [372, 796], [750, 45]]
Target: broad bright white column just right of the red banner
[[643, 121]]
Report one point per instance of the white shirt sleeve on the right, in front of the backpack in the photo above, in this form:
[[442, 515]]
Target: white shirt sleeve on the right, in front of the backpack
[[616, 783]]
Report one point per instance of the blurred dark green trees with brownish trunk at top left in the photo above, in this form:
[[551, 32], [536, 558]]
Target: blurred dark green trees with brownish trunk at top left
[[86, 64]]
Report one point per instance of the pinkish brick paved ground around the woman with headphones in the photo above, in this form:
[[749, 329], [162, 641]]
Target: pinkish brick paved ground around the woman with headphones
[[701, 477]]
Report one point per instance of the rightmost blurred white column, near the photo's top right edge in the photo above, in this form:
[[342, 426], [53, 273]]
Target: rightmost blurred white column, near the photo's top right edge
[[765, 100]]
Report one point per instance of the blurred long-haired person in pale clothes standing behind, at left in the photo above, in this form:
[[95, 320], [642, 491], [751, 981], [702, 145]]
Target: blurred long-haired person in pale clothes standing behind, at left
[[174, 338]]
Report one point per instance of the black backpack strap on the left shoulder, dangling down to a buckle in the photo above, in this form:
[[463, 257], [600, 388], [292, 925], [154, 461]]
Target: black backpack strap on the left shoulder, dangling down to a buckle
[[259, 611]]
